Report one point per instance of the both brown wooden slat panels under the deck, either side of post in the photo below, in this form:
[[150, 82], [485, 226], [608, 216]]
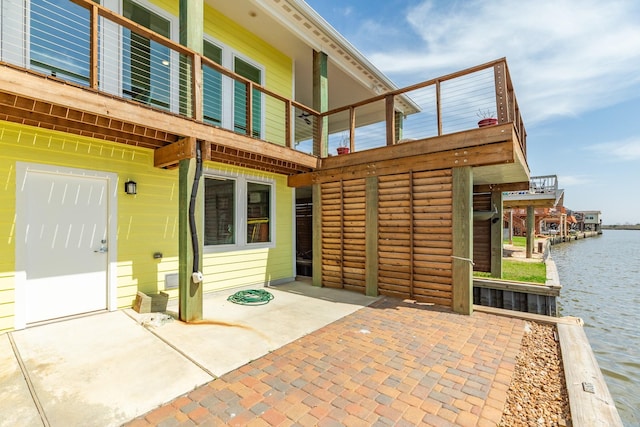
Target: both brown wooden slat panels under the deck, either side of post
[[415, 235]]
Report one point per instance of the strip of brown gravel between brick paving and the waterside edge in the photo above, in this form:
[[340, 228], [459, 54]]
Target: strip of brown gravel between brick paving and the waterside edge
[[537, 394]]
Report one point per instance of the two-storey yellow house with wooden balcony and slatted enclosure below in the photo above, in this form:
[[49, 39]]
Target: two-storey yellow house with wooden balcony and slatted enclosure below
[[164, 146]]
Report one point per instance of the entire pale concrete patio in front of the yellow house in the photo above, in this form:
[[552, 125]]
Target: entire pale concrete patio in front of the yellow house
[[108, 368]]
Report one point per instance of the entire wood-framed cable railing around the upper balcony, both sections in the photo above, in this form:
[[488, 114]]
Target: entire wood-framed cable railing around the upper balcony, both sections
[[84, 43]]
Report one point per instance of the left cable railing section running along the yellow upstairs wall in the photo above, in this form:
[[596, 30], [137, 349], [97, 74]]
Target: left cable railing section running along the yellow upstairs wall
[[86, 44]]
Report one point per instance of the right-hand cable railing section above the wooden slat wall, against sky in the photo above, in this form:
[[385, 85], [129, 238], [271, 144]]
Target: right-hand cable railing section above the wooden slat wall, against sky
[[445, 105]]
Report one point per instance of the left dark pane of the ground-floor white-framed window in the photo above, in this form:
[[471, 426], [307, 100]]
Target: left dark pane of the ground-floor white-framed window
[[219, 211]]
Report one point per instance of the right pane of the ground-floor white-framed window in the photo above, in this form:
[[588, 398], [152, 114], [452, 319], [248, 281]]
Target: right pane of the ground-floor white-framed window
[[258, 212]]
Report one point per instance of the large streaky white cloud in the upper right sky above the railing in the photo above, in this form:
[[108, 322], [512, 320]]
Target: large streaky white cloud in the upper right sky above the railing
[[565, 56]]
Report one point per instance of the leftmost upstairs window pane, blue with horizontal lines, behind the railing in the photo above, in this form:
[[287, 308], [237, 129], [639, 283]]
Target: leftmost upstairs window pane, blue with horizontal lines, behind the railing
[[59, 39]]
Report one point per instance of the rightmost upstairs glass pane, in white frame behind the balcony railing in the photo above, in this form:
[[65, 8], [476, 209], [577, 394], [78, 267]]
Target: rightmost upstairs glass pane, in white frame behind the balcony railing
[[254, 74]]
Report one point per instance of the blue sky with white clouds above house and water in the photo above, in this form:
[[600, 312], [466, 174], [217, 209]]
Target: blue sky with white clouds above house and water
[[574, 64]]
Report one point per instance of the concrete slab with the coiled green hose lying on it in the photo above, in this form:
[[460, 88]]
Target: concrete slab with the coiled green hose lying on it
[[232, 335]]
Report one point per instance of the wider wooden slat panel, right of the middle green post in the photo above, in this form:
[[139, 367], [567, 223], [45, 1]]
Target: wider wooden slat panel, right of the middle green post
[[415, 236]]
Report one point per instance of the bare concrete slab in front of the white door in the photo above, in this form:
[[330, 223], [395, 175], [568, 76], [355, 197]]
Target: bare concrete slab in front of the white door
[[101, 370]]
